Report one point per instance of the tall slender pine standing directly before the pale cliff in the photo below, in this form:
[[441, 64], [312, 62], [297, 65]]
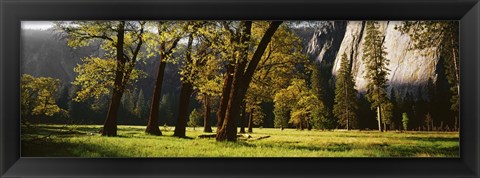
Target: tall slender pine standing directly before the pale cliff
[[376, 70]]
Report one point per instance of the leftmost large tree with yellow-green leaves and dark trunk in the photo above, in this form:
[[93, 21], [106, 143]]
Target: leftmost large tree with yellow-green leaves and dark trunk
[[120, 41]]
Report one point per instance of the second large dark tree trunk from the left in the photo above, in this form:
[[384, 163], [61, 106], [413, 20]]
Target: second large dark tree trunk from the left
[[152, 125]]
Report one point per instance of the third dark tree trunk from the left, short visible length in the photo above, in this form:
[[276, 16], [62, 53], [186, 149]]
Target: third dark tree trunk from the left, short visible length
[[185, 94]]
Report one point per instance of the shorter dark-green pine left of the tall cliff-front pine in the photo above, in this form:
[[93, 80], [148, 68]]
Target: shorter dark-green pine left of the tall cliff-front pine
[[345, 95]]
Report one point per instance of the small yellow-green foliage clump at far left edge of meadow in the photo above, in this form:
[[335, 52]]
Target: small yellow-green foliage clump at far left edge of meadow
[[38, 96]]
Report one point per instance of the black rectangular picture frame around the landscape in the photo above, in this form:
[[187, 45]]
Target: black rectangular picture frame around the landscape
[[14, 11]]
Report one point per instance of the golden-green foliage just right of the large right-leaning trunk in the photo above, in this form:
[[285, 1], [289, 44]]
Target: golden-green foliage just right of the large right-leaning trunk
[[277, 67]]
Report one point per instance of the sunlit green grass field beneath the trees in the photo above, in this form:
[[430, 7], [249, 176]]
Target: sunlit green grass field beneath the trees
[[84, 141]]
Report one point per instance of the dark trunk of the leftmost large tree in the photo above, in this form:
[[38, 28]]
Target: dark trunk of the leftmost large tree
[[110, 125]]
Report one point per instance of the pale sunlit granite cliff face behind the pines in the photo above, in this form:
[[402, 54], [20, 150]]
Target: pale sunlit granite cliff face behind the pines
[[409, 69]]
